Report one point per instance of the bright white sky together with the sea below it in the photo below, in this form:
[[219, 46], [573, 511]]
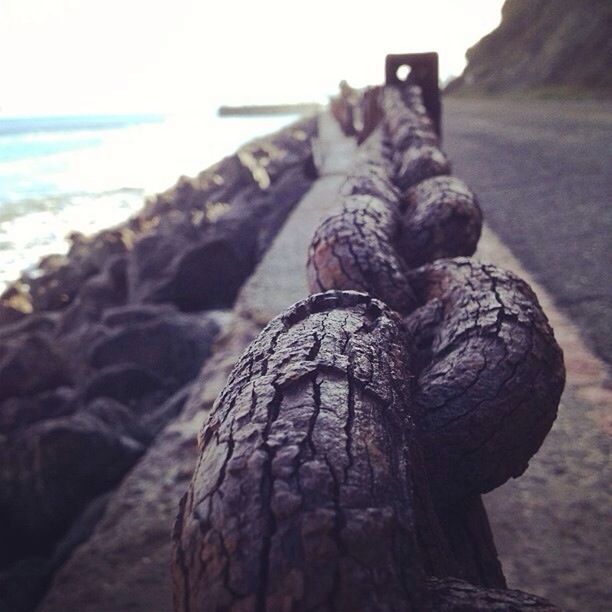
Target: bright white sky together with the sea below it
[[104, 101]]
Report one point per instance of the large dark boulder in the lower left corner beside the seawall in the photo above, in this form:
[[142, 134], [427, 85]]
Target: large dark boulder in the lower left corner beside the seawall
[[53, 468]]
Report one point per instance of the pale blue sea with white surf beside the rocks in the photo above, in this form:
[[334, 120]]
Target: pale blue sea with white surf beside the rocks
[[60, 174]]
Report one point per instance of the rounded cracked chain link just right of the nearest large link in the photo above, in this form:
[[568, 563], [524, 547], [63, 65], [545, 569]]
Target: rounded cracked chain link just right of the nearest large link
[[490, 375]]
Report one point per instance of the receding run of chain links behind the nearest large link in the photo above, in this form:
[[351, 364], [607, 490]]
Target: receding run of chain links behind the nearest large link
[[488, 372]]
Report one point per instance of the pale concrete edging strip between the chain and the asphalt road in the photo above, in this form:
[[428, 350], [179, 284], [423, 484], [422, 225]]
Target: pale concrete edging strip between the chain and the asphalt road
[[553, 525]]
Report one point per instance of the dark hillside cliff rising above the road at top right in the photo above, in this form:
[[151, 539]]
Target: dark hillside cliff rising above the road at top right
[[543, 46]]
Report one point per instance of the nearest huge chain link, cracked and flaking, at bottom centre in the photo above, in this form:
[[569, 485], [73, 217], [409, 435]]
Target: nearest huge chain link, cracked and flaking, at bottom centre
[[309, 489]]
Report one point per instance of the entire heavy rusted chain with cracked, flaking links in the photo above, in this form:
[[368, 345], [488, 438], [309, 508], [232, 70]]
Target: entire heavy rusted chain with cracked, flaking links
[[360, 415]]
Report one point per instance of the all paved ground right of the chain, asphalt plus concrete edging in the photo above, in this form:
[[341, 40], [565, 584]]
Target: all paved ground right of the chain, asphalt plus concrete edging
[[541, 171]]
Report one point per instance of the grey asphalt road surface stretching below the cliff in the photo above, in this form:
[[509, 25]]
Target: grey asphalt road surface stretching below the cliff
[[543, 173]]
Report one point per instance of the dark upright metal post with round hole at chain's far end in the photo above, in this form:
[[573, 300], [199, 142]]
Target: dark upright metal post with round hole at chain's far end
[[424, 73]]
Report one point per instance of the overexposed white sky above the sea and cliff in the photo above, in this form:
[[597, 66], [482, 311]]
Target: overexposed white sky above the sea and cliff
[[97, 56]]
